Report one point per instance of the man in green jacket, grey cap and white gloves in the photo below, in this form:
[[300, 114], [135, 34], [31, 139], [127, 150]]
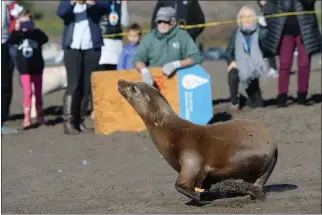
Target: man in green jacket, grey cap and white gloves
[[167, 46]]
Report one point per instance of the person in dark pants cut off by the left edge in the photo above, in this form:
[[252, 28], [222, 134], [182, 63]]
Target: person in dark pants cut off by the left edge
[[6, 70]]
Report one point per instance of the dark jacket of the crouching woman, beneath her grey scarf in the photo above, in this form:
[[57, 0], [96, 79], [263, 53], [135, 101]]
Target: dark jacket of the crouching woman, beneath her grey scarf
[[230, 50]]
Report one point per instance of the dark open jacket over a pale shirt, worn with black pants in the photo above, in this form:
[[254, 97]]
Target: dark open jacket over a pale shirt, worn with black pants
[[94, 14]]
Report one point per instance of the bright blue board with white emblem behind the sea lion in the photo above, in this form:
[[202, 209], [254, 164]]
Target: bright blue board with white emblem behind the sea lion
[[195, 95]]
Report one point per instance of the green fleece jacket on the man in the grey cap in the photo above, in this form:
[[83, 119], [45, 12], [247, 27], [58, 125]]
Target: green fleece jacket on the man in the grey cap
[[156, 50]]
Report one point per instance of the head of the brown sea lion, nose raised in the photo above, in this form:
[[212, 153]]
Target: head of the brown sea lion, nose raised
[[145, 99]]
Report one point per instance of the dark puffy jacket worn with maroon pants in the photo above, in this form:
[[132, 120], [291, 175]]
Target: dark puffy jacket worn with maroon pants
[[308, 25]]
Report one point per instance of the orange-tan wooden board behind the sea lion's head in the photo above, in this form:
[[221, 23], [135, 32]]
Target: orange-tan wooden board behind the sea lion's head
[[112, 111]]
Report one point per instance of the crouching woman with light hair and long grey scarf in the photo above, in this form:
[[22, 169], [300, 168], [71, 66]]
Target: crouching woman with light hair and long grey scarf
[[245, 59]]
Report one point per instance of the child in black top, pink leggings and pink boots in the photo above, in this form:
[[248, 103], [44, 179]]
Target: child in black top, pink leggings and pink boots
[[30, 62]]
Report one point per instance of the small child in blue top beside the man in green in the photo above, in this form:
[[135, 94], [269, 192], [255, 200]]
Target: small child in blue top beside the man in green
[[129, 51]]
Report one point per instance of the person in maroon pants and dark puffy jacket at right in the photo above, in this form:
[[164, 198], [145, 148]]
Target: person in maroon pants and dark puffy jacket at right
[[283, 35]]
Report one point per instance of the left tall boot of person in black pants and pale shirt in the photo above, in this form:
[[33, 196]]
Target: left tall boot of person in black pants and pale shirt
[[69, 126]]
